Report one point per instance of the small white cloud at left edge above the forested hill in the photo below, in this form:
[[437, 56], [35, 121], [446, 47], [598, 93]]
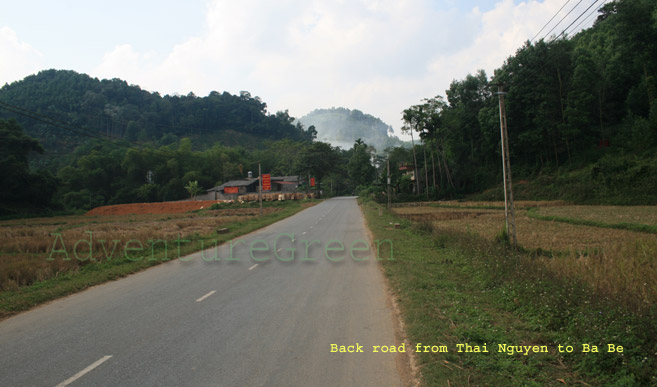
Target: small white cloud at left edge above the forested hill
[[19, 59]]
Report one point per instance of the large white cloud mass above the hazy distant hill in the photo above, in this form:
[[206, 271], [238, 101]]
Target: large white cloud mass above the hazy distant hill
[[380, 56]]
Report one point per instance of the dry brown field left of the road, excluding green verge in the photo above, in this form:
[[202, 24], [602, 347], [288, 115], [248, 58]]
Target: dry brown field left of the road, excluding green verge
[[26, 244]]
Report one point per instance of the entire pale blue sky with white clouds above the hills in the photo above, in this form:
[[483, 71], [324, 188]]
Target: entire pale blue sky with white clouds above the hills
[[378, 56]]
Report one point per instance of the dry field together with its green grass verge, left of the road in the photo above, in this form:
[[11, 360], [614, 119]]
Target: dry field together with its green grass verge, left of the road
[[31, 273]]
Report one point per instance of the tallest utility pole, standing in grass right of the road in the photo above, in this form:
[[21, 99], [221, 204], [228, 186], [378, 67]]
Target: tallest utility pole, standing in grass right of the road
[[509, 209]]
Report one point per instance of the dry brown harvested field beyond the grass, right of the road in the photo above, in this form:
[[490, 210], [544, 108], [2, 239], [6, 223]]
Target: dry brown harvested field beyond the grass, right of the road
[[619, 262]]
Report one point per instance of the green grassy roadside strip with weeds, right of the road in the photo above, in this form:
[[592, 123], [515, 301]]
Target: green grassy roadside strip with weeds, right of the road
[[457, 286]]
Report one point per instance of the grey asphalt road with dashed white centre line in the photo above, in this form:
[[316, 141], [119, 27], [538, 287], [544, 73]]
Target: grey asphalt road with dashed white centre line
[[256, 320]]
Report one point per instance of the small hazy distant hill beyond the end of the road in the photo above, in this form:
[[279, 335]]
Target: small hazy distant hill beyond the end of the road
[[341, 127]]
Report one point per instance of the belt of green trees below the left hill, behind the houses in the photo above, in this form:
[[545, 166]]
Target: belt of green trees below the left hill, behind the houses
[[104, 172]]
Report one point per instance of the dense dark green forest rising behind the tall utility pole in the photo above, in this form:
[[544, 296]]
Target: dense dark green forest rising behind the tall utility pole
[[581, 113]]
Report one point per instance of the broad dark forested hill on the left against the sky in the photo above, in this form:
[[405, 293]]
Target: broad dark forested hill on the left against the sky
[[113, 109]]
